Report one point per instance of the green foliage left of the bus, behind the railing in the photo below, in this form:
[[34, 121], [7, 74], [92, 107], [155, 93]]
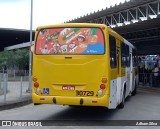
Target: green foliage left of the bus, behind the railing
[[18, 58]]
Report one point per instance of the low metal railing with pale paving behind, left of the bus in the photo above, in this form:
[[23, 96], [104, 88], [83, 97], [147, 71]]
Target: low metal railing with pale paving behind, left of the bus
[[14, 85]]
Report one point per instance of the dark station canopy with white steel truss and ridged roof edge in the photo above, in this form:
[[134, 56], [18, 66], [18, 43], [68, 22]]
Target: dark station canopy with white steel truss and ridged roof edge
[[145, 34]]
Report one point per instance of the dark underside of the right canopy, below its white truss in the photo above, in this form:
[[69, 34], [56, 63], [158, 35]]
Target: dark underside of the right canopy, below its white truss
[[144, 35]]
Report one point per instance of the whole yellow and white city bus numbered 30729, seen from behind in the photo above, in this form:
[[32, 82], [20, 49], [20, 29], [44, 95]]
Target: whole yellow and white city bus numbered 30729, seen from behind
[[82, 64]]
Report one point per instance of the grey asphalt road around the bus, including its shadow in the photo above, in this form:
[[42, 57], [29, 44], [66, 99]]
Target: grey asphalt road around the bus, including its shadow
[[144, 106]]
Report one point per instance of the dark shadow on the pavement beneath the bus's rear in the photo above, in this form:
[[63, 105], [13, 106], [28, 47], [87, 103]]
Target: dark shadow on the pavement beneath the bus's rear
[[83, 113]]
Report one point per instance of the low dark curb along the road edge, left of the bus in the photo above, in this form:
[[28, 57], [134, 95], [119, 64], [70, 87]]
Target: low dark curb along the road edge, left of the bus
[[11, 105]]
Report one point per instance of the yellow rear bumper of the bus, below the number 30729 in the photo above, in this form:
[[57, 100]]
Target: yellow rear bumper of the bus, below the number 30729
[[63, 100]]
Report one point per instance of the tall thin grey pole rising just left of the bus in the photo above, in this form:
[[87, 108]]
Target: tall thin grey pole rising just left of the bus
[[30, 53]]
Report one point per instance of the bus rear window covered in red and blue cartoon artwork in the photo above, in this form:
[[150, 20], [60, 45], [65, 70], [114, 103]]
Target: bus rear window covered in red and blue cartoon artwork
[[57, 41]]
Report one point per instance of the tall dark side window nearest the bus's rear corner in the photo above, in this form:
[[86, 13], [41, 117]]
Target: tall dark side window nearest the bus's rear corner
[[113, 54]]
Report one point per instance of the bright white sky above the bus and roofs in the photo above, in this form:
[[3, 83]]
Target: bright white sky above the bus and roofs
[[16, 13]]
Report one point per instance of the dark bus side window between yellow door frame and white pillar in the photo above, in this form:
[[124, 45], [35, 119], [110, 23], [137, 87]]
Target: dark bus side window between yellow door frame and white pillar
[[125, 59]]
